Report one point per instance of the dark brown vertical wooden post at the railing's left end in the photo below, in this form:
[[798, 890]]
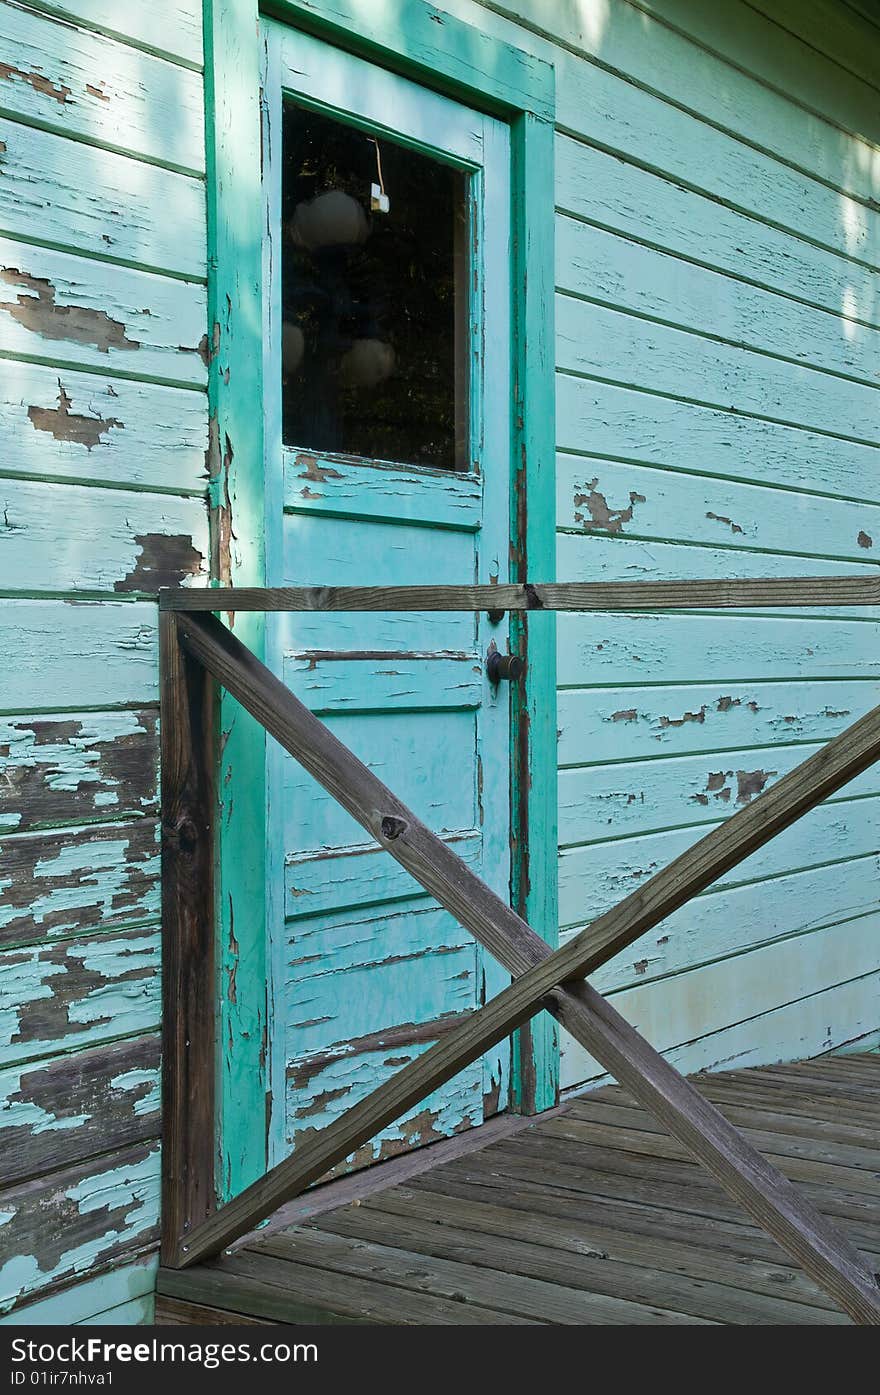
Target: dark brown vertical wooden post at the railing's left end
[[188, 732]]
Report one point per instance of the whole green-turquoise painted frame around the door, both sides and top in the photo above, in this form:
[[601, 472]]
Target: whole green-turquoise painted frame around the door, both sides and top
[[440, 52]]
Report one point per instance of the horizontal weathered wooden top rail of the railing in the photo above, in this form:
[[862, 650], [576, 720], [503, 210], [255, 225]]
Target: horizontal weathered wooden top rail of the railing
[[553, 596]]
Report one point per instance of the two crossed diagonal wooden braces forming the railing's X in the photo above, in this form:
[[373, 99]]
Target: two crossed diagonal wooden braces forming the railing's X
[[545, 979]]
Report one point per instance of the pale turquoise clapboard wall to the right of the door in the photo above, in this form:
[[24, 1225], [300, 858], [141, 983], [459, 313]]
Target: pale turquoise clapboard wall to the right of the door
[[718, 352]]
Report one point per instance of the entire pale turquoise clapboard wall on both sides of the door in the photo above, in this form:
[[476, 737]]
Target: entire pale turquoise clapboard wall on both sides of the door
[[718, 365]]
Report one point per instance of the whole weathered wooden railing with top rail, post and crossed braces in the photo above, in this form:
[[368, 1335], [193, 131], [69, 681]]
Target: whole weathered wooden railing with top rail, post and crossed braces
[[199, 652]]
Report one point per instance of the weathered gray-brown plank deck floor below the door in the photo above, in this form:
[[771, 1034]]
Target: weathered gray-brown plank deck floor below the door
[[591, 1216]]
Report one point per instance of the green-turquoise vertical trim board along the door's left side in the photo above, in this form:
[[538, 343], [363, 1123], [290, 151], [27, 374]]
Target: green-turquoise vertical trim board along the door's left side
[[236, 496]]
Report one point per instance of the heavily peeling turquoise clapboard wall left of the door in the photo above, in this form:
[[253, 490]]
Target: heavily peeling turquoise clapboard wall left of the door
[[103, 482]]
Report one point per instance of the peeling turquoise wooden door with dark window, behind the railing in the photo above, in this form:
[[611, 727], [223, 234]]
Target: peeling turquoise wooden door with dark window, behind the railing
[[388, 461]]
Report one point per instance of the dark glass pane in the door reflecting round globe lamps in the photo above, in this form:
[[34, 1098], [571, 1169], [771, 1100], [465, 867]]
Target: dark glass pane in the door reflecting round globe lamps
[[374, 337]]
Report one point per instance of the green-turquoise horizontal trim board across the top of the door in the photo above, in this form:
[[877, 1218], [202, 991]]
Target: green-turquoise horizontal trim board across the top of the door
[[466, 65]]
